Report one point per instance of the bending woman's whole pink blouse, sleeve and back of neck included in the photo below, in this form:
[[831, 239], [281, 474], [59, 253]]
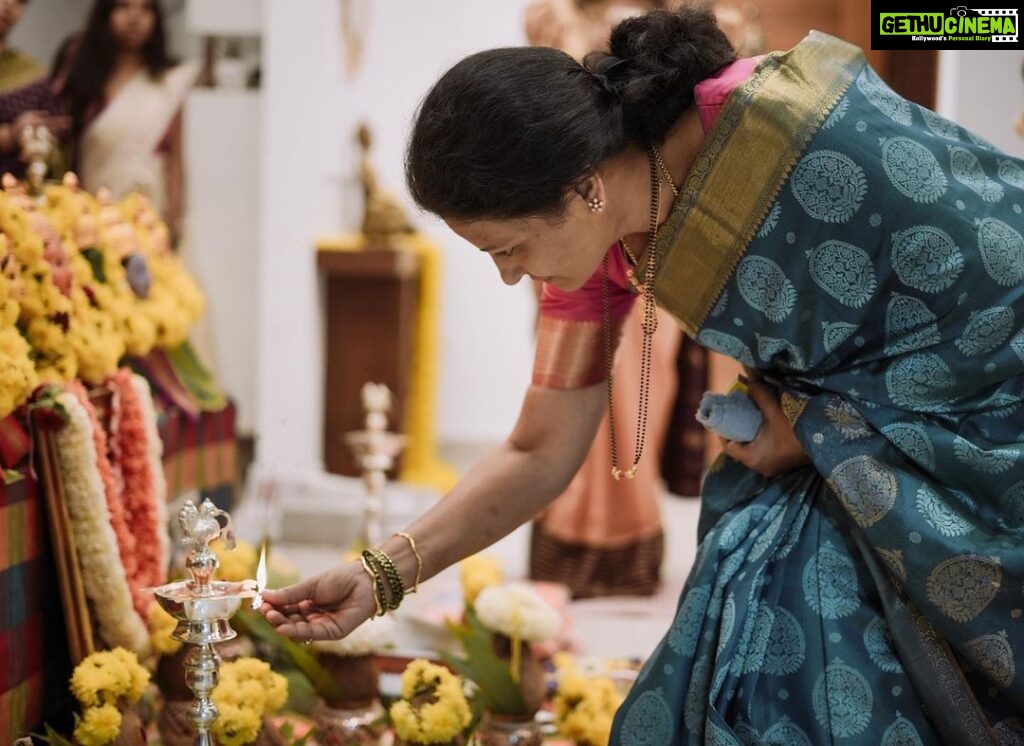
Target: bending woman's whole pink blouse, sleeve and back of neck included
[[571, 335]]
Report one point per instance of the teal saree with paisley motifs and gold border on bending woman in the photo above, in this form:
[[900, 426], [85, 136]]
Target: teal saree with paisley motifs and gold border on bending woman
[[865, 256]]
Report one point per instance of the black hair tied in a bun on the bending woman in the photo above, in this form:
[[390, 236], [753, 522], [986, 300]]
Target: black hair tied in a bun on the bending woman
[[506, 134]]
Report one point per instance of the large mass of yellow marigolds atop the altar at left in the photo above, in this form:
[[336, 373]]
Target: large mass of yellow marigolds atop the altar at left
[[87, 326]]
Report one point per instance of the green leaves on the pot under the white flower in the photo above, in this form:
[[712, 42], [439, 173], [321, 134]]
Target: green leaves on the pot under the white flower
[[498, 691]]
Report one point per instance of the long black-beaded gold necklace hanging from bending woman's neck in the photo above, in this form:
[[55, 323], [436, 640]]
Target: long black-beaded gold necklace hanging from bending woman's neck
[[649, 322]]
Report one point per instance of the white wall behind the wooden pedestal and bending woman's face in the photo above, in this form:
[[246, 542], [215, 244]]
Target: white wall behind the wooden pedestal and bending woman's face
[[310, 166]]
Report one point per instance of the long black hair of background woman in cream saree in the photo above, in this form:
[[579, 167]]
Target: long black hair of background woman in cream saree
[[97, 56]]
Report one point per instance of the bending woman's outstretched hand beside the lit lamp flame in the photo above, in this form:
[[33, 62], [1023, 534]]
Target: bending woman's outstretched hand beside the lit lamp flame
[[328, 606]]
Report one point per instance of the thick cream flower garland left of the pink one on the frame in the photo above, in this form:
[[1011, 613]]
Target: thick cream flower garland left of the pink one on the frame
[[103, 540]]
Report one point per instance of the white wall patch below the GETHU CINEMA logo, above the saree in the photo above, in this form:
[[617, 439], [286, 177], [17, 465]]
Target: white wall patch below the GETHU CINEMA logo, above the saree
[[984, 91]]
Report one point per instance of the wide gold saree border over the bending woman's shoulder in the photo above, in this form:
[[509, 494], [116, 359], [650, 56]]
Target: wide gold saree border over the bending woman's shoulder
[[760, 135]]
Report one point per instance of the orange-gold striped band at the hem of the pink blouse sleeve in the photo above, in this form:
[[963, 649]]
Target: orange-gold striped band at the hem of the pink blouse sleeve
[[570, 354]]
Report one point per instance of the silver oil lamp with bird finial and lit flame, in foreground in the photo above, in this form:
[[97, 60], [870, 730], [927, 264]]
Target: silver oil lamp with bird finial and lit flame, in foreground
[[203, 606]]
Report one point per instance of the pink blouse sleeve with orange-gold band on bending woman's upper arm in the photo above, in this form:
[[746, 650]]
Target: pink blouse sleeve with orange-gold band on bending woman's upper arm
[[571, 331]]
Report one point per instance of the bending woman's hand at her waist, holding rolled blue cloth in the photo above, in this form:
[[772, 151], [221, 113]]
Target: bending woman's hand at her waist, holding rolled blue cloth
[[776, 450]]
